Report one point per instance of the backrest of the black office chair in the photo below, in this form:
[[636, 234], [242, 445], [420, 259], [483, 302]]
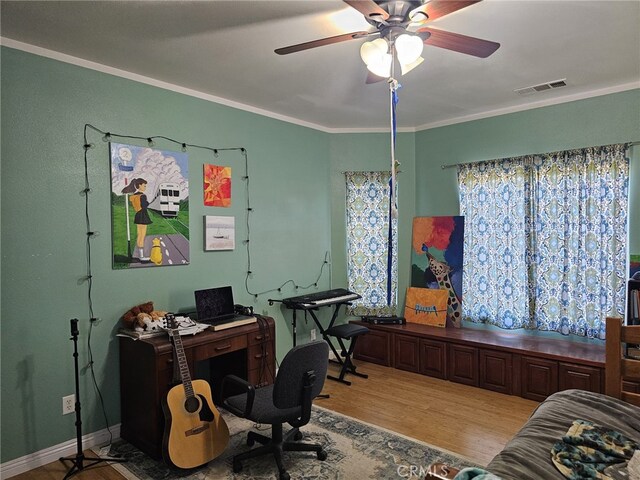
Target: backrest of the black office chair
[[287, 389]]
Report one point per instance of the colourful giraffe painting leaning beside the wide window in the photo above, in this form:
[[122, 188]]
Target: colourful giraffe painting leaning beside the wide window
[[436, 259]]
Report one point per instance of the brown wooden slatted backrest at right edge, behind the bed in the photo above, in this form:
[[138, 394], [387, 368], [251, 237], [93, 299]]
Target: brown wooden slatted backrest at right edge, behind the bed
[[617, 366]]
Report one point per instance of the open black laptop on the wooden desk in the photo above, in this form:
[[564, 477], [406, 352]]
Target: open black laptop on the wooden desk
[[215, 307]]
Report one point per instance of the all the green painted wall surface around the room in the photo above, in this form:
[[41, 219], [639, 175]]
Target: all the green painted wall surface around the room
[[297, 195]]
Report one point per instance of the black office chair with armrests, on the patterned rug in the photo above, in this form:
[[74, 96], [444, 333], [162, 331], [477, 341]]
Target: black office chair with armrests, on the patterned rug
[[299, 380]]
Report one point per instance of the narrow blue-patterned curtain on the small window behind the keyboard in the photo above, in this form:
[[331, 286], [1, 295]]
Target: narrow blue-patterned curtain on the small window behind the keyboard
[[372, 265]]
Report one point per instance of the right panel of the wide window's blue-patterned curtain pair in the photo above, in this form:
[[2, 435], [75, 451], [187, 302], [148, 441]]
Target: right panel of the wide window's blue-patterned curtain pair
[[580, 215]]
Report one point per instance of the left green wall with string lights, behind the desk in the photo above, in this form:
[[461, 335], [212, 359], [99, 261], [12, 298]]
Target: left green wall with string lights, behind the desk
[[45, 105]]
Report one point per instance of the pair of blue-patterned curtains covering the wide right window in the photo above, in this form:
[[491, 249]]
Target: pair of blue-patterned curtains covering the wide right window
[[561, 219]]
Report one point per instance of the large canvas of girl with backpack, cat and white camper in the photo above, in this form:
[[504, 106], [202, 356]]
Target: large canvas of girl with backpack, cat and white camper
[[149, 207]]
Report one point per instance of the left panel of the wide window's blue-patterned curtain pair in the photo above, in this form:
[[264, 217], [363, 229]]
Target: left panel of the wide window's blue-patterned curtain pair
[[494, 203]]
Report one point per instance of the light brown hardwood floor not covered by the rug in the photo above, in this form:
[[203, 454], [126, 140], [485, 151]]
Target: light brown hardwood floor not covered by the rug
[[468, 421]]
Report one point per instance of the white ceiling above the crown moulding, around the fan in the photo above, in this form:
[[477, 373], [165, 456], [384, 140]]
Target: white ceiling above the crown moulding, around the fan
[[224, 50]]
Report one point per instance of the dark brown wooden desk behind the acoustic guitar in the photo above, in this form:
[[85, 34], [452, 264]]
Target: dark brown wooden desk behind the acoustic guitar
[[147, 373]]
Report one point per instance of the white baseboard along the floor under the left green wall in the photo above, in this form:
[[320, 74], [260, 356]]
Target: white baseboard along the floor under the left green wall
[[51, 454]]
